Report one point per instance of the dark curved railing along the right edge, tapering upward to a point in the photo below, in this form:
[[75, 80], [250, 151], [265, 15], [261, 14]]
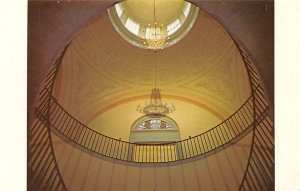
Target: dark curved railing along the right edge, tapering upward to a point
[[259, 173]]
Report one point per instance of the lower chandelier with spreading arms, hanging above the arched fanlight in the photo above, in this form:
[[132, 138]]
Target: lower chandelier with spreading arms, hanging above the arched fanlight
[[155, 106]]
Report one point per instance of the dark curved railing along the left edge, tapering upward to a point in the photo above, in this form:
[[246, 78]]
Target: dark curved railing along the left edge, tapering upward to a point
[[42, 169]]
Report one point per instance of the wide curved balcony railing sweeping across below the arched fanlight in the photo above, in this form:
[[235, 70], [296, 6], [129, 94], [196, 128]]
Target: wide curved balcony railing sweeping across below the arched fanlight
[[66, 126]]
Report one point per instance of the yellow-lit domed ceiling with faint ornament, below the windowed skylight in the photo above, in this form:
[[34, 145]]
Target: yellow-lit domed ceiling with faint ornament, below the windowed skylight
[[103, 78]]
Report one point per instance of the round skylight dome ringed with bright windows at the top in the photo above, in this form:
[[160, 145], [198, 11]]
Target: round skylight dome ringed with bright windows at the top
[[153, 24]]
